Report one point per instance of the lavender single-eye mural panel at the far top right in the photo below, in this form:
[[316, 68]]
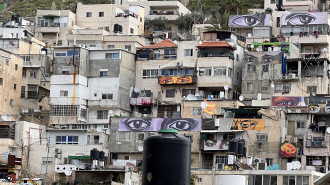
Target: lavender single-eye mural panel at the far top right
[[305, 18]]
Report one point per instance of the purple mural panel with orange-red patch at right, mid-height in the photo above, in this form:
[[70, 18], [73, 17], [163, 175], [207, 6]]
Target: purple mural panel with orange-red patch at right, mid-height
[[285, 101]]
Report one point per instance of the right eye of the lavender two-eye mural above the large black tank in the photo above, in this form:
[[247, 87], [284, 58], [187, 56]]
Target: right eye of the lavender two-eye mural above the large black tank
[[179, 124]]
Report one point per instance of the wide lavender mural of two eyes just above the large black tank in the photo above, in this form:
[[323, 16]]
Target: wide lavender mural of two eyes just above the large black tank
[[154, 124]]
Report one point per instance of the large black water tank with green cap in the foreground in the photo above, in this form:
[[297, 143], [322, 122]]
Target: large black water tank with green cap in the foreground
[[166, 159]]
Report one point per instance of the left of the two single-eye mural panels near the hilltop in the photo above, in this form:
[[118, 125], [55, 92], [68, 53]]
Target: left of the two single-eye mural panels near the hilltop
[[249, 20]]
